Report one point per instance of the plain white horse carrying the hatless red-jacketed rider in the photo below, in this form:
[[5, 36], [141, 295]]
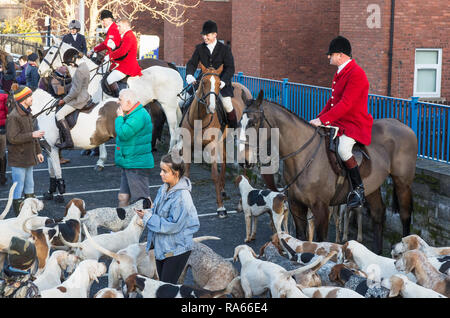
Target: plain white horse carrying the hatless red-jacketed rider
[[157, 83]]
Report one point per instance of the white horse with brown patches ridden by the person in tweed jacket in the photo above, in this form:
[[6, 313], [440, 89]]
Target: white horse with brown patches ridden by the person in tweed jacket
[[91, 130]]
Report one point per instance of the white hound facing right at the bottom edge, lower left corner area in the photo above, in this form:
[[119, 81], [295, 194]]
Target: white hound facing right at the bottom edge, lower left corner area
[[79, 283]]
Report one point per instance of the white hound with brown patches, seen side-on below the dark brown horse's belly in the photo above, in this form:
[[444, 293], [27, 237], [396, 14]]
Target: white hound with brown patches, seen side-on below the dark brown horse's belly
[[319, 248]]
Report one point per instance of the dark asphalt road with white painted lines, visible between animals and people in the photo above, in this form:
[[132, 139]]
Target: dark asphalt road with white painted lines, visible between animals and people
[[99, 189]]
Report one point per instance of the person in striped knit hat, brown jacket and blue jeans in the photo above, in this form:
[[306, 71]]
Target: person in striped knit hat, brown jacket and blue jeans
[[24, 150]]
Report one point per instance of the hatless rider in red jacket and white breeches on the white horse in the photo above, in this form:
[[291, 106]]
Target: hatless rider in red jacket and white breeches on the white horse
[[125, 56]]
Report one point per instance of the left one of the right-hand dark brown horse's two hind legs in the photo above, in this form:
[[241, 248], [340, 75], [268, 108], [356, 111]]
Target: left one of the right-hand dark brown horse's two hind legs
[[377, 214]]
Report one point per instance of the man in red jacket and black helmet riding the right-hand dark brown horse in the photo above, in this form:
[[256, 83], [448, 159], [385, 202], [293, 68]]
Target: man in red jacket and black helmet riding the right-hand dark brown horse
[[347, 109]]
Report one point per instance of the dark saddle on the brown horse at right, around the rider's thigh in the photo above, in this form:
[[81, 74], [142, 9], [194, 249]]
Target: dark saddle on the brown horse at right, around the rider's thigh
[[359, 152]]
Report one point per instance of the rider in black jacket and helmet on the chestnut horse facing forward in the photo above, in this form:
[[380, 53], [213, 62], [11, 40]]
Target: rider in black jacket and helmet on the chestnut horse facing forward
[[222, 55]]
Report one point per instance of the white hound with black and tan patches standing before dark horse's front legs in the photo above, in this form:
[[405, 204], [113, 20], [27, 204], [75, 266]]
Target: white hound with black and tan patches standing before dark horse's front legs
[[256, 202]]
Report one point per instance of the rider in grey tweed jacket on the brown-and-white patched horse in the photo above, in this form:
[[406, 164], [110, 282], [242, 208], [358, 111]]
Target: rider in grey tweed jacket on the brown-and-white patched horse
[[77, 97]]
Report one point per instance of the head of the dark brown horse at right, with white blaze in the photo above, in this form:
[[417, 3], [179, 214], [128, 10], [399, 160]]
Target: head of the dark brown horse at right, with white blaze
[[249, 125]]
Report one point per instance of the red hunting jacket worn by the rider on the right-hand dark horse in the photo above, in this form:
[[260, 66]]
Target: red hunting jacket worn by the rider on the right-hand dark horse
[[347, 107]]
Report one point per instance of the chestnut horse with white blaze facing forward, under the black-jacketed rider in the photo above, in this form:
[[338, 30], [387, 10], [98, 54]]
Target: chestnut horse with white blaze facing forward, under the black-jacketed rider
[[203, 110]]
